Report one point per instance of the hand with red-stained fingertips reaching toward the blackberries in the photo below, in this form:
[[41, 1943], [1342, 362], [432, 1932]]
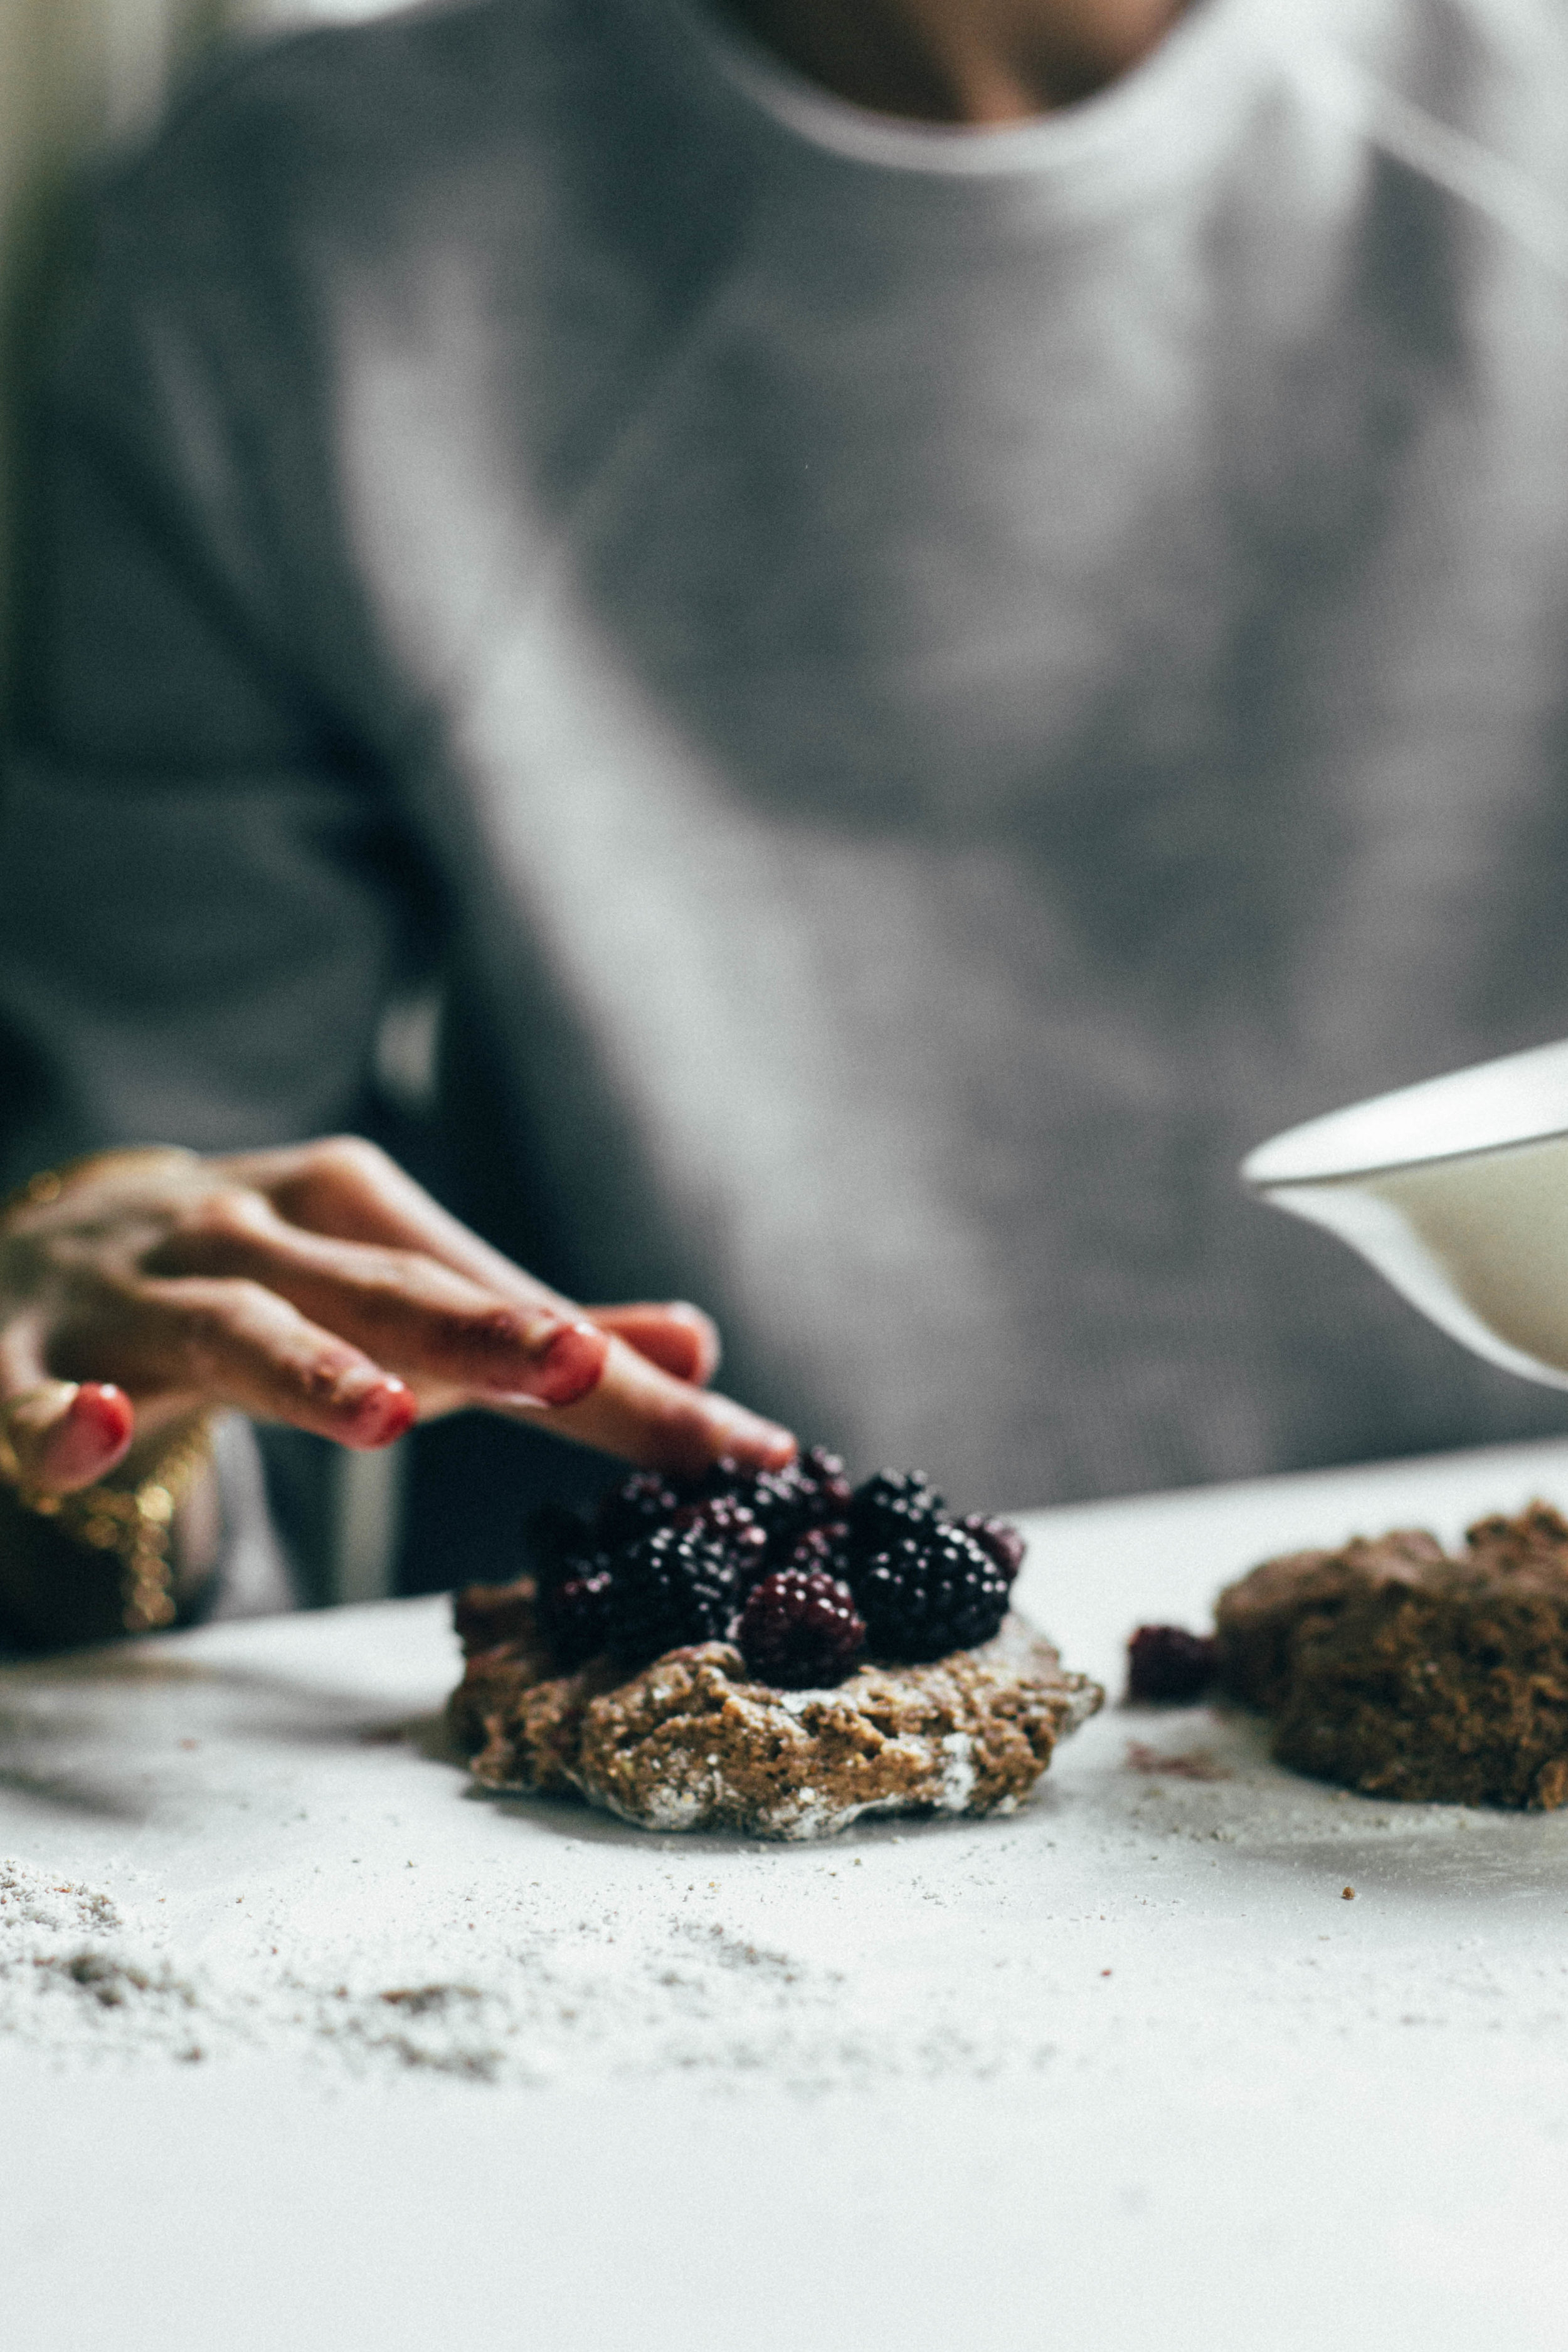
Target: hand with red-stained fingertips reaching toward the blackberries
[[323, 1288]]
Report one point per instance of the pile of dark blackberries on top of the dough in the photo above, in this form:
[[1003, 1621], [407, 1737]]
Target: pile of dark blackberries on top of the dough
[[805, 1572]]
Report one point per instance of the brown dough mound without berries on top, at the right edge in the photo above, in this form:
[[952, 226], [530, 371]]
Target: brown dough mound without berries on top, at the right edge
[[1402, 1671]]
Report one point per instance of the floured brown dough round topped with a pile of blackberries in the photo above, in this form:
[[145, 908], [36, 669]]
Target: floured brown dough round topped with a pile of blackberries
[[765, 1652]]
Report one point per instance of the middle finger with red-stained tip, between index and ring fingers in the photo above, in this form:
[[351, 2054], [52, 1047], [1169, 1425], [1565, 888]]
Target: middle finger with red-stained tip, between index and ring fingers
[[401, 1307]]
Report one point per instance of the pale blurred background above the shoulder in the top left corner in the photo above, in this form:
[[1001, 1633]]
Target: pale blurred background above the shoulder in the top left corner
[[79, 81]]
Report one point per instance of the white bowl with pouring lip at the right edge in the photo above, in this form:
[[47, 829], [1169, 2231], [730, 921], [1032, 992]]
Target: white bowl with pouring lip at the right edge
[[1459, 1194]]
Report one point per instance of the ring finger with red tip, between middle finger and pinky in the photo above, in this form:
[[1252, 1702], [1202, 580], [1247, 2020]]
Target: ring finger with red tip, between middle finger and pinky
[[243, 1347]]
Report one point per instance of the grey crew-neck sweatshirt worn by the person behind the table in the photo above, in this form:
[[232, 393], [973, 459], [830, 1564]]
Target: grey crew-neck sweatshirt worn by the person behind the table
[[918, 688]]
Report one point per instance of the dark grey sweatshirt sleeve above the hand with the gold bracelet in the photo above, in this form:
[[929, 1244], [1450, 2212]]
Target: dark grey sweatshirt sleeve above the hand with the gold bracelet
[[206, 895]]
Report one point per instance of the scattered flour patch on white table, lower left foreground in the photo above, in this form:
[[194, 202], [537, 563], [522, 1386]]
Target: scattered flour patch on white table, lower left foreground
[[556, 1998]]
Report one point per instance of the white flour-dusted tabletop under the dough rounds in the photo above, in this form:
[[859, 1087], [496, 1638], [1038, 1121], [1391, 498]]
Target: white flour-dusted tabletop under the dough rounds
[[1127, 2071]]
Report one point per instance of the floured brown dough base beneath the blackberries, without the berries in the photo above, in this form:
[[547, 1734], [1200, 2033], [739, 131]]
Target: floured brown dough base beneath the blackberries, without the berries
[[692, 1744]]
